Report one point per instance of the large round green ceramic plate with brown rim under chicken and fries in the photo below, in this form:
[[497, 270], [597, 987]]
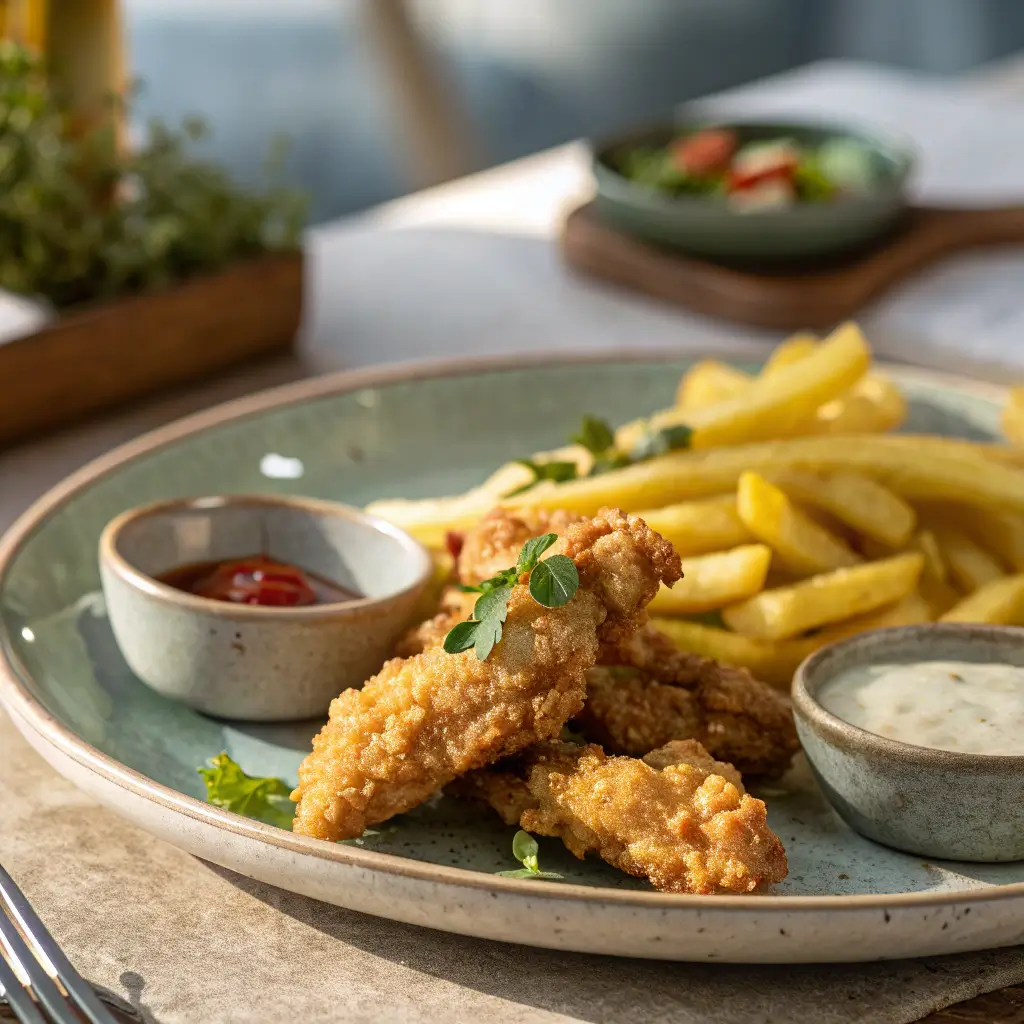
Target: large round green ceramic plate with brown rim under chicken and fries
[[414, 434]]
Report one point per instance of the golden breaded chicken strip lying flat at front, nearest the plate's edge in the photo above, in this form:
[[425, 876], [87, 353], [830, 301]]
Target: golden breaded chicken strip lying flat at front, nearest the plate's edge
[[678, 819]]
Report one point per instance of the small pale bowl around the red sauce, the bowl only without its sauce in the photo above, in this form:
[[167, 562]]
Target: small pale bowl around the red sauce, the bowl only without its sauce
[[249, 662]]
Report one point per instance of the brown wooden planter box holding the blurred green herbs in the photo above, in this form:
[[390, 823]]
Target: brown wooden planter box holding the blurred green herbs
[[100, 357]]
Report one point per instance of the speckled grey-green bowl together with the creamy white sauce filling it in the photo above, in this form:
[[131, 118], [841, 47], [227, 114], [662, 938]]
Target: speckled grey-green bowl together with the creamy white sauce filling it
[[859, 704]]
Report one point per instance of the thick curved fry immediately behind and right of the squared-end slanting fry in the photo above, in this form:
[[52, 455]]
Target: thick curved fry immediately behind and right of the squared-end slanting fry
[[854, 499]]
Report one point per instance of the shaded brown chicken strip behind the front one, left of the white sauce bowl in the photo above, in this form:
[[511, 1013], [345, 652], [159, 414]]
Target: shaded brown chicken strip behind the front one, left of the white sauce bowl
[[735, 716]]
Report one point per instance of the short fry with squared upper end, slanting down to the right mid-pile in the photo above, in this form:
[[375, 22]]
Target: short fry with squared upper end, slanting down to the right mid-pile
[[802, 545]]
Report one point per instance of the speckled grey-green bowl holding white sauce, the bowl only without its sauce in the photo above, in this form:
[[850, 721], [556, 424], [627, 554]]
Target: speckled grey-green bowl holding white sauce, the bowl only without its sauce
[[928, 802]]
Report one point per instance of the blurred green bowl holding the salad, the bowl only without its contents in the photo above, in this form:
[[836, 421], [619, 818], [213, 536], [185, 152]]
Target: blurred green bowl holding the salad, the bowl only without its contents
[[709, 227]]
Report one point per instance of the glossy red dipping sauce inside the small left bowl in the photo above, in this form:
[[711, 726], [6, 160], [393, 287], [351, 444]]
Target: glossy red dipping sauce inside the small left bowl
[[258, 580]]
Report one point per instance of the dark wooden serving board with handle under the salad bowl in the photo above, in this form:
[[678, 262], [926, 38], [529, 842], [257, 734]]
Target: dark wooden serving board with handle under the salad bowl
[[815, 297]]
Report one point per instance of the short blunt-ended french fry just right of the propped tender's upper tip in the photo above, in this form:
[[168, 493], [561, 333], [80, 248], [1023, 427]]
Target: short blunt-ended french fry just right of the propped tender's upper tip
[[711, 582]]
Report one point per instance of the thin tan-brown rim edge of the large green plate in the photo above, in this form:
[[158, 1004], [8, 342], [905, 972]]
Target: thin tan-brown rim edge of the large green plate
[[29, 714]]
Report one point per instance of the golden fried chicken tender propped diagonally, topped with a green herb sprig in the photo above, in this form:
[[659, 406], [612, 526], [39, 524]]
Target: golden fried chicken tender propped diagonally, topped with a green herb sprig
[[422, 721]]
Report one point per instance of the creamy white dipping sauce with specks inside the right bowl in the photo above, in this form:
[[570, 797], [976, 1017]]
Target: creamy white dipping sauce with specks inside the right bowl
[[952, 706]]
